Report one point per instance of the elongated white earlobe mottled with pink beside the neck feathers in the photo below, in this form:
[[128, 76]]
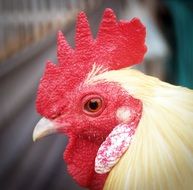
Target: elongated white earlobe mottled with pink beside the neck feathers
[[113, 148]]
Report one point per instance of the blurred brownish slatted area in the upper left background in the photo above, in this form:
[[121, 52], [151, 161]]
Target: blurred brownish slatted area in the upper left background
[[25, 22]]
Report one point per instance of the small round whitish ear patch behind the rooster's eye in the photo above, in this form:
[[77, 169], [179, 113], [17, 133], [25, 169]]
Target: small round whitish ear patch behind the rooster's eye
[[123, 114]]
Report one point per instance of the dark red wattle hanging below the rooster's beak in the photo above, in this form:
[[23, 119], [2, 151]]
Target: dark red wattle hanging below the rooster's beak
[[80, 164]]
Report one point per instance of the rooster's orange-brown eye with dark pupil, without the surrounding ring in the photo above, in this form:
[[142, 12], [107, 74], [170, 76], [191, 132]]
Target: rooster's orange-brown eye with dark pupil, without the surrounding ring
[[93, 105]]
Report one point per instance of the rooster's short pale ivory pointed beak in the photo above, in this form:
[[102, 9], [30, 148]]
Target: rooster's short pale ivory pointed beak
[[43, 128]]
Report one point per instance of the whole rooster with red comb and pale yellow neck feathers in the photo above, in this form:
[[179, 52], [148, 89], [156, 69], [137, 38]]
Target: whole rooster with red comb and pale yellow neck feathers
[[126, 130]]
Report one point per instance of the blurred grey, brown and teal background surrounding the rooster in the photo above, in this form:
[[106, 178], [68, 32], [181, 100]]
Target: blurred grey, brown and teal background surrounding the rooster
[[28, 38]]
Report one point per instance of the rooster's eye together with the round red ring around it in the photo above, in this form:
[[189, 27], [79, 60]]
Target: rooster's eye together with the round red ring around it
[[93, 105]]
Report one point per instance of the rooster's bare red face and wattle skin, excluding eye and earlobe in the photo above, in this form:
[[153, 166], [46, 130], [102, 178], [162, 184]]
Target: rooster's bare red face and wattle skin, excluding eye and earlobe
[[86, 132]]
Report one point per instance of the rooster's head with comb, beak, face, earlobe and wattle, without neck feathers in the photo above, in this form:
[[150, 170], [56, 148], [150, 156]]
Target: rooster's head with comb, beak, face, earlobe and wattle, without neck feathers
[[98, 116]]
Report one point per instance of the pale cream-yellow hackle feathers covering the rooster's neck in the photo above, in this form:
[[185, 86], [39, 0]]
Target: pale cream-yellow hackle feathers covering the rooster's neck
[[160, 156]]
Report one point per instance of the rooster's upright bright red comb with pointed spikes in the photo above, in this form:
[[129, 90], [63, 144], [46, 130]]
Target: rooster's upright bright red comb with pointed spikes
[[118, 44]]
